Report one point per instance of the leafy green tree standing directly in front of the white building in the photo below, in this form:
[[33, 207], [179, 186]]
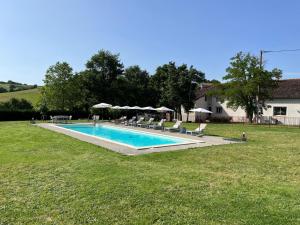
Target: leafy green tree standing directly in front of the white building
[[247, 80]]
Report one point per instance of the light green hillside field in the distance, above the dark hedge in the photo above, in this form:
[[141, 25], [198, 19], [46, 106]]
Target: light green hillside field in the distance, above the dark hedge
[[32, 95]]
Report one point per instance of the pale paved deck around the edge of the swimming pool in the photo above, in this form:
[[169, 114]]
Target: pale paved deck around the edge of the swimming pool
[[126, 150]]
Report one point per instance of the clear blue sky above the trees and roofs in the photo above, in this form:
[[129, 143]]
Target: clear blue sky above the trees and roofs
[[35, 34]]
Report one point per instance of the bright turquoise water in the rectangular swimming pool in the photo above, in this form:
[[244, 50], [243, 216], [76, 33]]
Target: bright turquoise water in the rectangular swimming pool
[[126, 136]]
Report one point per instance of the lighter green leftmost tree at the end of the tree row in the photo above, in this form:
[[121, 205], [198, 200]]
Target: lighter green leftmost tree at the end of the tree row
[[59, 91]]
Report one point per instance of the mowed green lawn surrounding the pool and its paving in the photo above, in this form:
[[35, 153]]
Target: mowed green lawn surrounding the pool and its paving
[[50, 178]]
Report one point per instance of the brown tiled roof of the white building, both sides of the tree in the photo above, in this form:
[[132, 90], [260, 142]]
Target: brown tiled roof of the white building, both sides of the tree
[[287, 89]]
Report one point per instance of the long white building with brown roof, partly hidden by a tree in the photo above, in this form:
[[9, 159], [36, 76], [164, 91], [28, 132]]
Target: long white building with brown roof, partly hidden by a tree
[[283, 108]]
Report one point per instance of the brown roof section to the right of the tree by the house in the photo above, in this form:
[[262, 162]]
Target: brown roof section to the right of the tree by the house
[[288, 89]]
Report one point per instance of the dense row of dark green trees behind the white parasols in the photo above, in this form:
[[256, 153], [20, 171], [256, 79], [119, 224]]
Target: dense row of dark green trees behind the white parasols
[[106, 80]]
